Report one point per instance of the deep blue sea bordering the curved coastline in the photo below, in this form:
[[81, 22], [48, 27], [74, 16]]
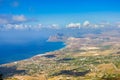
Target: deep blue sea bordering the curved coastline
[[15, 52]]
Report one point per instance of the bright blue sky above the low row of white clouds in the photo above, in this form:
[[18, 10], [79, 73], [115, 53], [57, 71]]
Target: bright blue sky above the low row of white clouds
[[58, 11]]
